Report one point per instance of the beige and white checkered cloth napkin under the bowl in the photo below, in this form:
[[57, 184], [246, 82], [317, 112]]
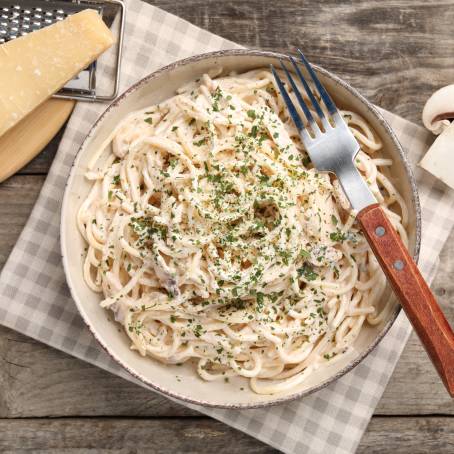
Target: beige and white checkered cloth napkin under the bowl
[[34, 299]]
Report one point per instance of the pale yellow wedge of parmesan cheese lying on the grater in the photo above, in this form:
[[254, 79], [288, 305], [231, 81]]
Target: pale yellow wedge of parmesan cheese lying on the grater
[[35, 66]]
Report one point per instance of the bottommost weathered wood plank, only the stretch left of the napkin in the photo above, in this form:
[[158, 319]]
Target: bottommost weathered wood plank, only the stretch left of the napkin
[[120, 436]]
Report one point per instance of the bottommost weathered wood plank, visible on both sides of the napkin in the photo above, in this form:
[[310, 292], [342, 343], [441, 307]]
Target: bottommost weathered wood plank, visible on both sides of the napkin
[[399, 435]]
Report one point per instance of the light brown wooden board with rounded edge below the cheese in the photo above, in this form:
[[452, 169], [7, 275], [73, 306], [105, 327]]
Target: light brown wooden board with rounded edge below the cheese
[[24, 141]]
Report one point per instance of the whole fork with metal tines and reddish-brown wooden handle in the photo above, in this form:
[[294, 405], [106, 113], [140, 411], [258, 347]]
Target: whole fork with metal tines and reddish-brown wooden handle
[[333, 148]]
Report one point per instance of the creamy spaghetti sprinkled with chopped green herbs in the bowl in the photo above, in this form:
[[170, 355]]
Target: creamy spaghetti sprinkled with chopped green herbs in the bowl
[[213, 239]]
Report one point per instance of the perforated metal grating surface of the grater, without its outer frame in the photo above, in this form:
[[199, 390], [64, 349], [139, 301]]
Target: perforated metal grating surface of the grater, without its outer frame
[[19, 18]]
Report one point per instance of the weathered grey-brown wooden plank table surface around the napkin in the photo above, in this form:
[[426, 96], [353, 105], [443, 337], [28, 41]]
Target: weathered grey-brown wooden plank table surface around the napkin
[[396, 53]]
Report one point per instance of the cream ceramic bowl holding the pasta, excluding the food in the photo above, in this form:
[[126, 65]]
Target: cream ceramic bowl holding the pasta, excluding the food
[[182, 382]]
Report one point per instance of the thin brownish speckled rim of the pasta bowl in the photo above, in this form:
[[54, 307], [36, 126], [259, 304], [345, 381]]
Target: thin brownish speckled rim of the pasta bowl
[[187, 61]]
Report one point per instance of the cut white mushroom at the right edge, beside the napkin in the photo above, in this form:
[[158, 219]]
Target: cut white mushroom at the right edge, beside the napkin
[[436, 116]]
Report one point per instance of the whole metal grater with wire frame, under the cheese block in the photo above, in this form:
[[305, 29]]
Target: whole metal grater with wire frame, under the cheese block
[[19, 17]]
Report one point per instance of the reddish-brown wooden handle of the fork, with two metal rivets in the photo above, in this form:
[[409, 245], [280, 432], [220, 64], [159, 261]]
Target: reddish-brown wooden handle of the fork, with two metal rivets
[[412, 291]]
